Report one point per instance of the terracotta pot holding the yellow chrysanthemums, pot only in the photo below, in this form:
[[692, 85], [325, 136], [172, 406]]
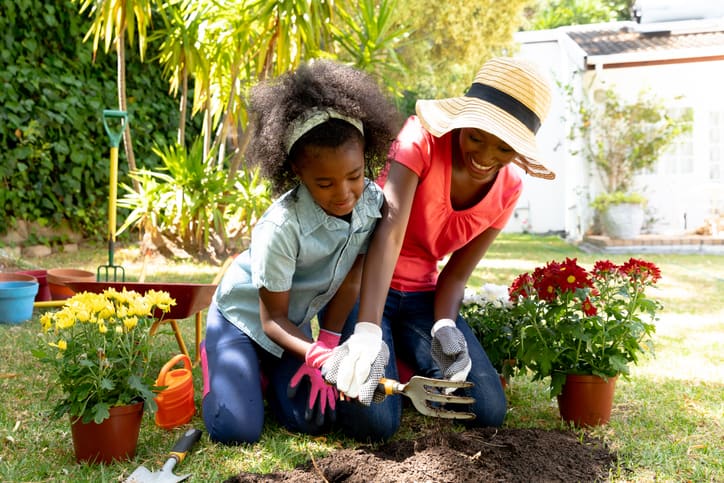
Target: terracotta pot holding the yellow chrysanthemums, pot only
[[115, 438]]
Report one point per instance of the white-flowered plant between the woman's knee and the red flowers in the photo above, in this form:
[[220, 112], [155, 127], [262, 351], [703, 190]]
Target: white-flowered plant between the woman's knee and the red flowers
[[488, 314]]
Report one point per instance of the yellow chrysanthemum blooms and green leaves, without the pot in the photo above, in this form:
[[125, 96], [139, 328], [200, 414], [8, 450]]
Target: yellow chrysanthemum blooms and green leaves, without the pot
[[99, 345]]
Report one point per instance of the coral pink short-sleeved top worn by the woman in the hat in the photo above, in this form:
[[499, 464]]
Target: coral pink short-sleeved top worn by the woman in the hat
[[435, 229]]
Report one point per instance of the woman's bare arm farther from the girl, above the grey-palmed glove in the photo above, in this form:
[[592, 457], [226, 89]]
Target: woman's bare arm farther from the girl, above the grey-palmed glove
[[453, 278]]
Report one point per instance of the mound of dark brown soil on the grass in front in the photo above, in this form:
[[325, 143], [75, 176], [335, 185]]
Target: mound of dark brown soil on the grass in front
[[483, 454]]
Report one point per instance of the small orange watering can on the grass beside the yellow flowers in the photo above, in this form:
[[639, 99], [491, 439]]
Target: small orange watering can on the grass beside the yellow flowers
[[176, 402]]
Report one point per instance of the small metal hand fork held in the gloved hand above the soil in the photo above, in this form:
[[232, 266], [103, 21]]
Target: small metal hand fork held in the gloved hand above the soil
[[423, 390]]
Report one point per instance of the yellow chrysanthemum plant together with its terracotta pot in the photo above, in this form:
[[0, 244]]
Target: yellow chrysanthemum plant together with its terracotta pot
[[99, 346]]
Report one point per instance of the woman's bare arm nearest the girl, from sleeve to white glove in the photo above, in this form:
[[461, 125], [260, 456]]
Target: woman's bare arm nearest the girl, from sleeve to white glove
[[387, 241]]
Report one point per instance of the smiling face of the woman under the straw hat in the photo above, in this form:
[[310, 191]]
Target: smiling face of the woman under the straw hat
[[483, 154]]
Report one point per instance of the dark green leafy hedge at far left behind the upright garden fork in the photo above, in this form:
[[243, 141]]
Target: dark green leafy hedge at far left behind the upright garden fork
[[55, 151]]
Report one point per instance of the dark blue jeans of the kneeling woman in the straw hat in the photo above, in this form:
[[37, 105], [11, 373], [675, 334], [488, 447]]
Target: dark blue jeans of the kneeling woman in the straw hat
[[410, 316]]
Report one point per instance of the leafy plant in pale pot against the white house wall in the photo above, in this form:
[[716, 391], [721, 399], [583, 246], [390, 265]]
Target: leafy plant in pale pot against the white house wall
[[622, 139]]
